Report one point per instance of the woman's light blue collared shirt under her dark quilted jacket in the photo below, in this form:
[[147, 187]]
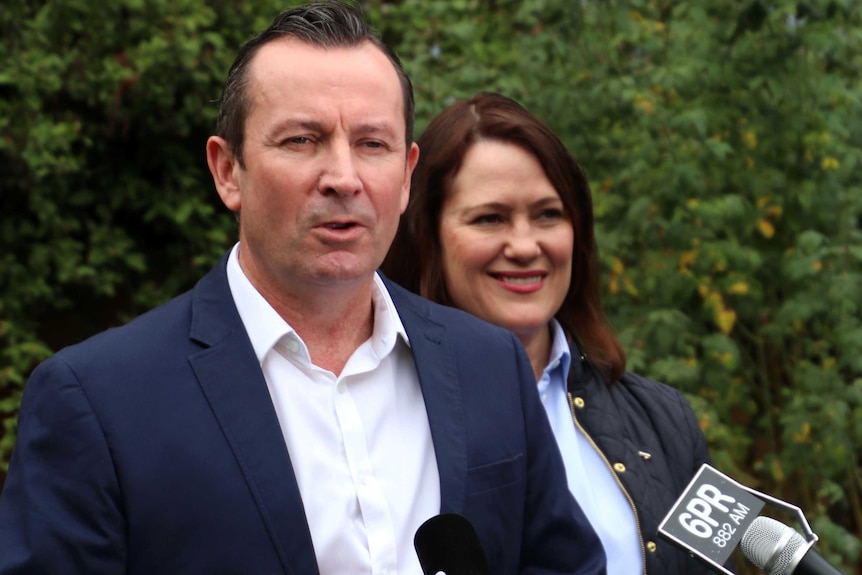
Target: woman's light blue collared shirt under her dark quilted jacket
[[590, 479]]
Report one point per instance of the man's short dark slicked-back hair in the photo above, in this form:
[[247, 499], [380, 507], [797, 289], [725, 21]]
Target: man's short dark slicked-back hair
[[324, 23]]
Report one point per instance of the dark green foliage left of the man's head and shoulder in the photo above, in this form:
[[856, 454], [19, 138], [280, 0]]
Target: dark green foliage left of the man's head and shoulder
[[107, 203]]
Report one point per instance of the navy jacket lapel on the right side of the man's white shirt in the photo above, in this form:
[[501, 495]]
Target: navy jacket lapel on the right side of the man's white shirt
[[438, 379]]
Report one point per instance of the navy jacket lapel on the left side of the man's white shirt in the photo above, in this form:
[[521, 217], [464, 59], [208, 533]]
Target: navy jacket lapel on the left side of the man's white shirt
[[232, 381]]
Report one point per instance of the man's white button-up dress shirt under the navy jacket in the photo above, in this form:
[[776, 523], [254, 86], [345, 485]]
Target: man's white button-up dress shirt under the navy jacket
[[359, 442]]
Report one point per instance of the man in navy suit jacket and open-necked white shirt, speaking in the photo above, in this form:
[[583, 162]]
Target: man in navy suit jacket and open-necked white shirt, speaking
[[294, 412]]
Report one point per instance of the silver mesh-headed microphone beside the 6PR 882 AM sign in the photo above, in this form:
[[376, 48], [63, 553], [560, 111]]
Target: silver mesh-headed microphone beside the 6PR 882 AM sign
[[780, 550]]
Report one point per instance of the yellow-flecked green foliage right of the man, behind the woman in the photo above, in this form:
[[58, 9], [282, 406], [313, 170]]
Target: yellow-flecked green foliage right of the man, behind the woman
[[723, 144]]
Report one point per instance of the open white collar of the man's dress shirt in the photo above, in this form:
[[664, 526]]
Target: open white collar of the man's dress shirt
[[265, 327]]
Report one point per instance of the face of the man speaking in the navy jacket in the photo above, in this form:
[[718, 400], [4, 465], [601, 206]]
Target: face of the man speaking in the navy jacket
[[327, 172]]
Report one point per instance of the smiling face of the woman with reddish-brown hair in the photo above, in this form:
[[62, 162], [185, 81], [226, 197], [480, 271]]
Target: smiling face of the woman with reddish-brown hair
[[506, 240]]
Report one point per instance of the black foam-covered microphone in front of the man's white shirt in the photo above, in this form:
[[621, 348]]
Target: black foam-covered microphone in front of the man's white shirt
[[448, 544]]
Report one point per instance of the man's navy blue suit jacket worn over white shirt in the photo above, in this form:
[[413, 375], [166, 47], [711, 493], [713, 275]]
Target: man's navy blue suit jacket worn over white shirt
[[154, 448]]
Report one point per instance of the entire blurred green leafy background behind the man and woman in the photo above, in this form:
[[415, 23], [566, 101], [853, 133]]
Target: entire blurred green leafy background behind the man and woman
[[722, 139]]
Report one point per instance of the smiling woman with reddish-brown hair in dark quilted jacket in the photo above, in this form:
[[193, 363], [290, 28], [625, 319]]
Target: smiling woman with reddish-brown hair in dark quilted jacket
[[500, 224]]
